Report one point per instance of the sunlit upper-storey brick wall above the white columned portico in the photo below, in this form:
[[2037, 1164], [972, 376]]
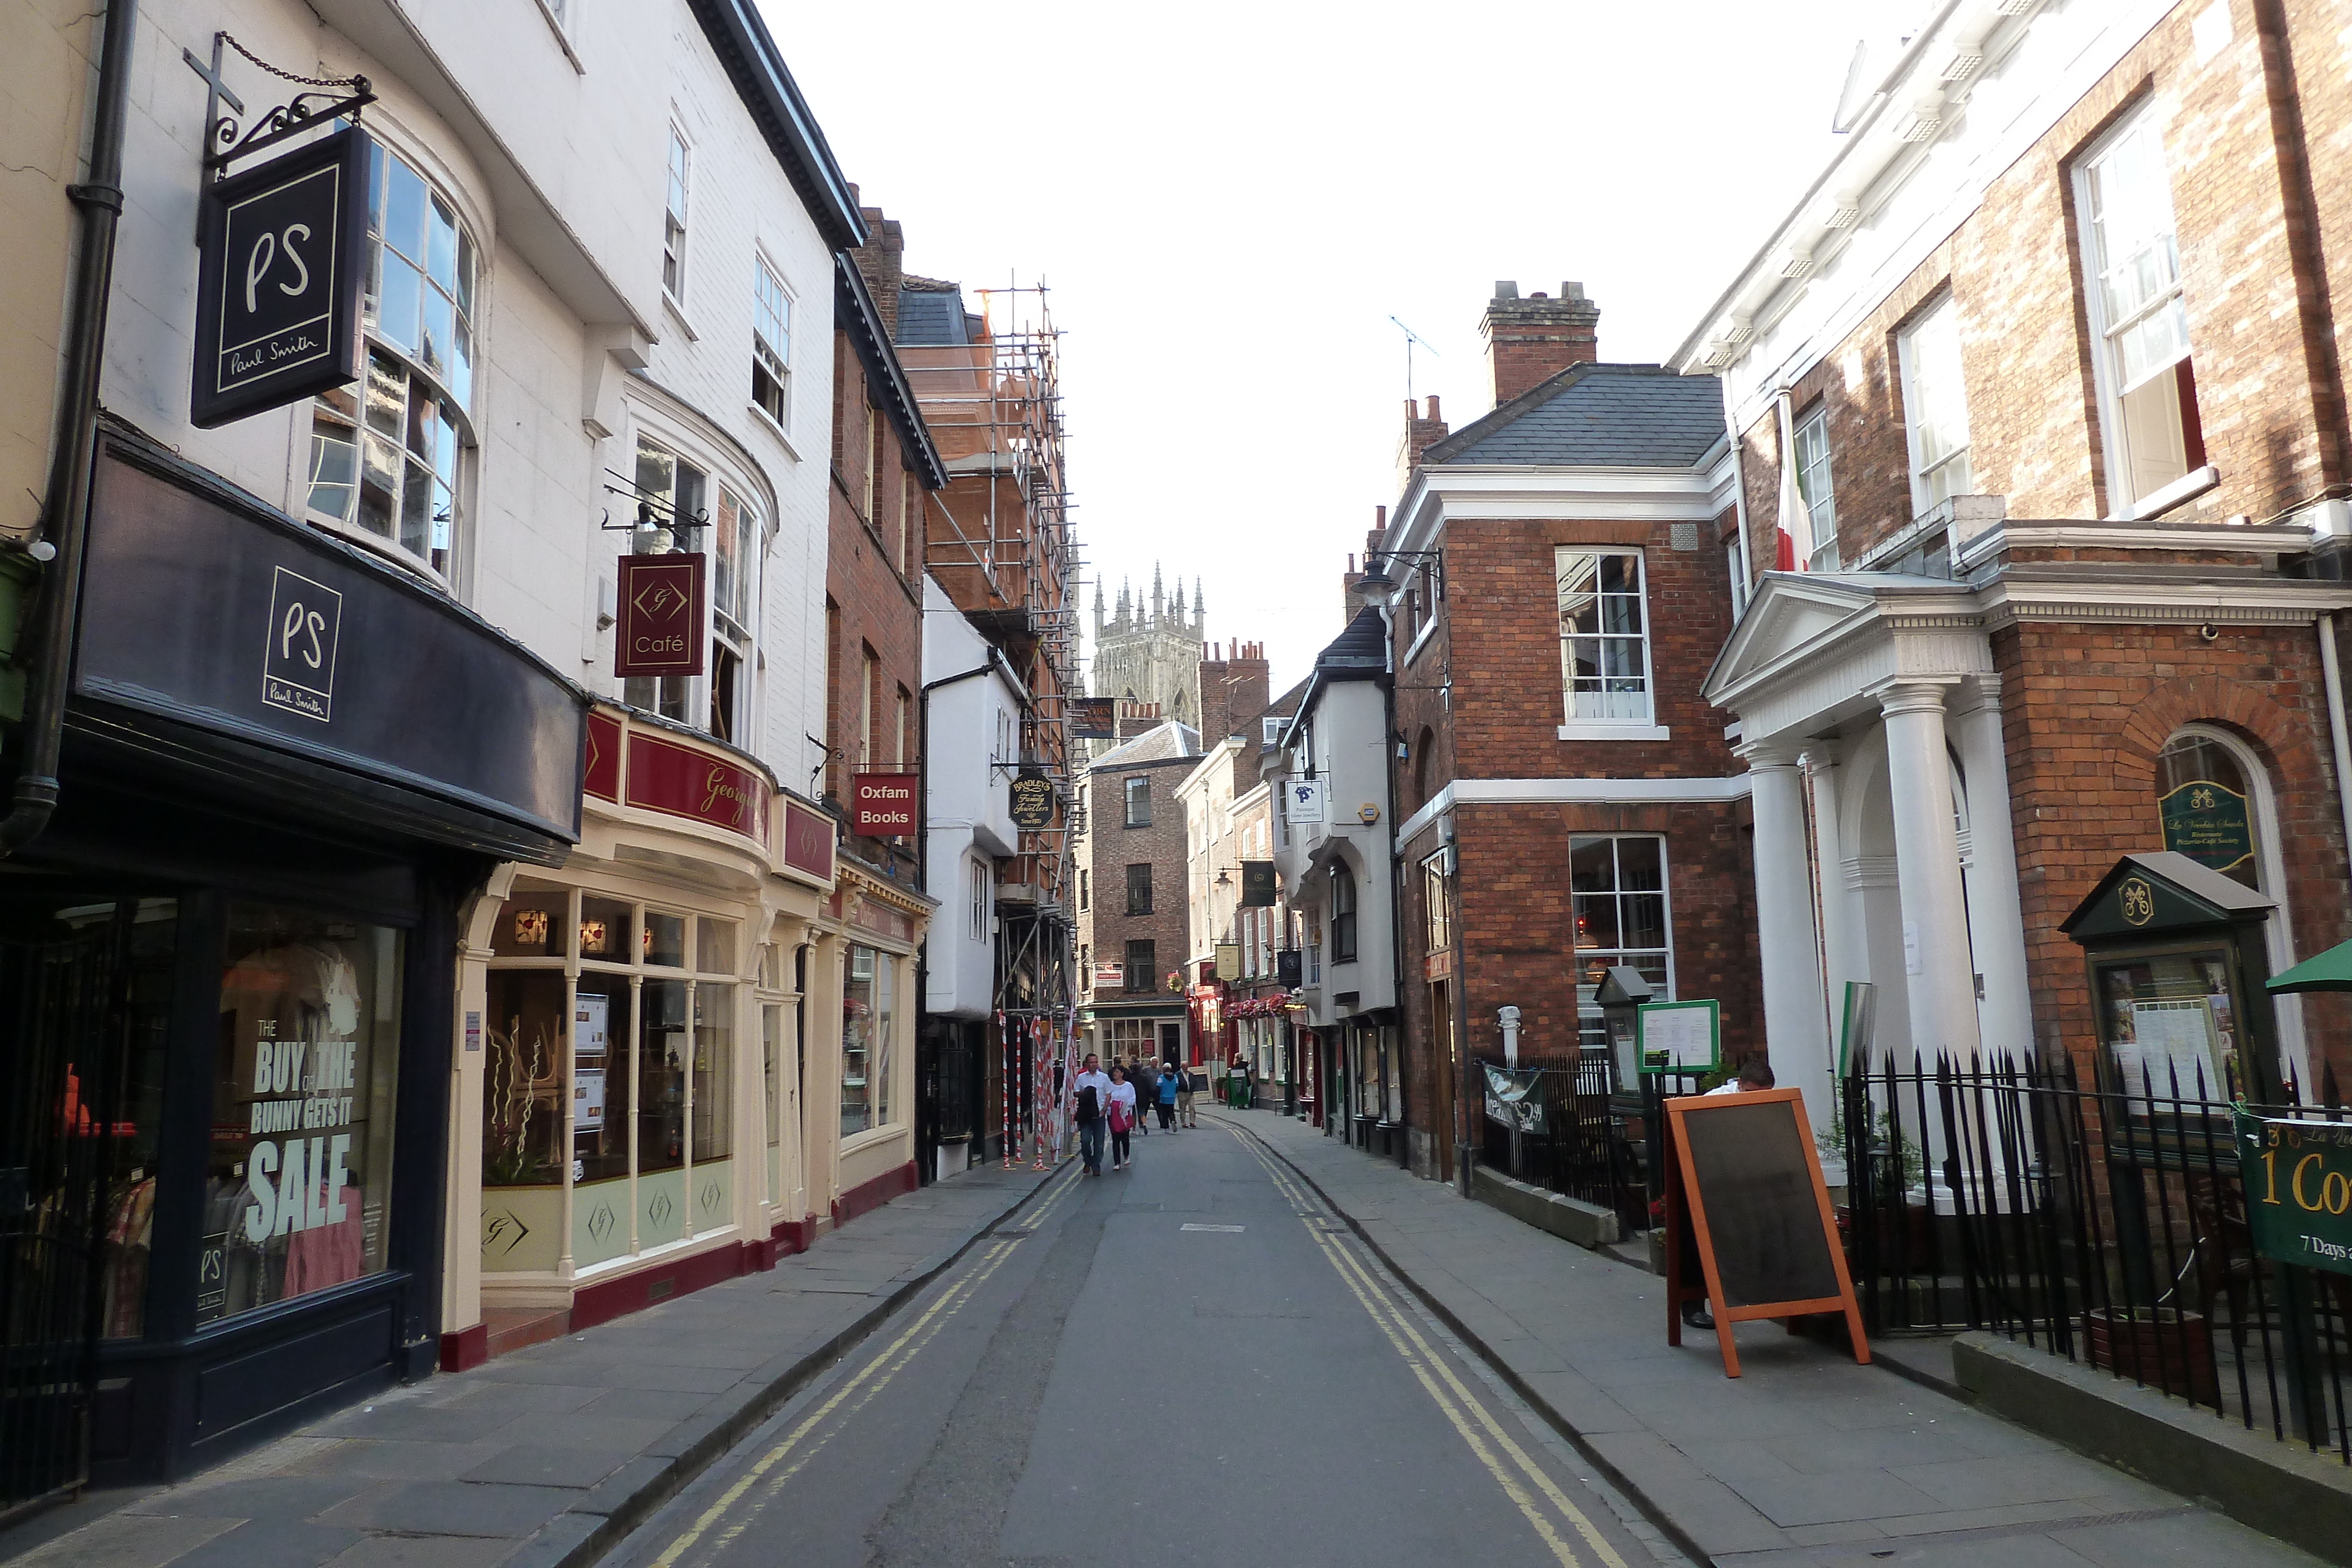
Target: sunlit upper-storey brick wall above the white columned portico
[[2257, 276]]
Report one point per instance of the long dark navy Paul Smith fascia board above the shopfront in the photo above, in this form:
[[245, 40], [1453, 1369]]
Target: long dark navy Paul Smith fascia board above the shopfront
[[241, 629]]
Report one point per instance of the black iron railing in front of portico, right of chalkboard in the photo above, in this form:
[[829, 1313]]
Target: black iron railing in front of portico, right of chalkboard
[[2097, 1219]]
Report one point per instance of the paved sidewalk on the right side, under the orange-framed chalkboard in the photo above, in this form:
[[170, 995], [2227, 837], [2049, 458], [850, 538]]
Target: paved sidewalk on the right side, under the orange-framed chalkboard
[[1803, 1461]]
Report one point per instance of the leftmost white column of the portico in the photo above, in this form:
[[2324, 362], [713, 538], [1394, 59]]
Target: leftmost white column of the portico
[[1786, 946]]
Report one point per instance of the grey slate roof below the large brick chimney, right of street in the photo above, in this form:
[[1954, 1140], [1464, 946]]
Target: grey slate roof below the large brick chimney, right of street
[[1601, 417]]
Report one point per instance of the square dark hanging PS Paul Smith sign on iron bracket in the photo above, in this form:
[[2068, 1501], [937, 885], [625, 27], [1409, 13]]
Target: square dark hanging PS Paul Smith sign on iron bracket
[[279, 283]]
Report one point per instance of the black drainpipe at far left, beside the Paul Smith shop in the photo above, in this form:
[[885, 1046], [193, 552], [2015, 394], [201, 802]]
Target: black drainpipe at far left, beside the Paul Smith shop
[[65, 511]]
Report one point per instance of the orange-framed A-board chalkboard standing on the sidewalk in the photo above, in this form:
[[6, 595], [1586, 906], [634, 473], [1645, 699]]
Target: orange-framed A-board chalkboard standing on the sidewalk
[[1744, 1198]]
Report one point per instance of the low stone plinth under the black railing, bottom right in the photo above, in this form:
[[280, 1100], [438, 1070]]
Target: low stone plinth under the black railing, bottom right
[[2273, 1487]]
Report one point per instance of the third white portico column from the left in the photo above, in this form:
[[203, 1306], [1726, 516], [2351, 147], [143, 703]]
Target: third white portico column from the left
[[1939, 977]]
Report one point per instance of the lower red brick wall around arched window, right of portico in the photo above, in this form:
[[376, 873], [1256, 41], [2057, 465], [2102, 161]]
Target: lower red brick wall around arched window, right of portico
[[2085, 713]]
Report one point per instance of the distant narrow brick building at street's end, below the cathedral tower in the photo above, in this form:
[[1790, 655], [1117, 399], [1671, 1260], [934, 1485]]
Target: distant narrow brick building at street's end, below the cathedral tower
[[1132, 920]]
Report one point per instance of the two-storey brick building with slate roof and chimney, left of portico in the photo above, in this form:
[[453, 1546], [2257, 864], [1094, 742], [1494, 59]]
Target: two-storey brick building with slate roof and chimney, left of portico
[[1556, 596]]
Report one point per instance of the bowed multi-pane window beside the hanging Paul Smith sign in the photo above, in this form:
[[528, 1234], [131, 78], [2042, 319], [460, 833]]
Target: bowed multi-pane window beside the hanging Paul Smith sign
[[387, 453]]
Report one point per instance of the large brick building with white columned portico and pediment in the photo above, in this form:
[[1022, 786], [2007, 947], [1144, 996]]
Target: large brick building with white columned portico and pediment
[[2040, 398]]
